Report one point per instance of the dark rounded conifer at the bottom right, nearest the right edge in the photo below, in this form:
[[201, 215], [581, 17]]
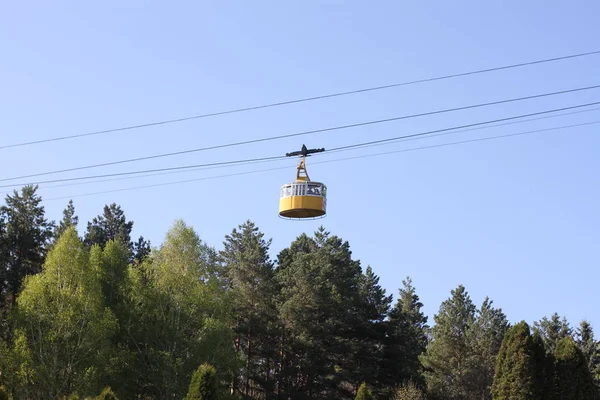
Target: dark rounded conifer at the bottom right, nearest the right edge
[[574, 379]]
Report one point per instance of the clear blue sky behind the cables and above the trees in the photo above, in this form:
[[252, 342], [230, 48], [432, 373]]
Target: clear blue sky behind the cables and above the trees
[[514, 219]]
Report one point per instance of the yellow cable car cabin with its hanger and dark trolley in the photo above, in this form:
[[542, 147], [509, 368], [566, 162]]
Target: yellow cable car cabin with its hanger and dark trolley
[[303, 199]]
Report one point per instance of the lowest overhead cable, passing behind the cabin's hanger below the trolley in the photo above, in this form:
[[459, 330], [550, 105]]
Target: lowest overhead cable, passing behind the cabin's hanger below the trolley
[[326, 161]]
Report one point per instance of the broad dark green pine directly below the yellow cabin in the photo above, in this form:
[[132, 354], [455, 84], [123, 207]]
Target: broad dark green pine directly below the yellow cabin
[[319, 306]]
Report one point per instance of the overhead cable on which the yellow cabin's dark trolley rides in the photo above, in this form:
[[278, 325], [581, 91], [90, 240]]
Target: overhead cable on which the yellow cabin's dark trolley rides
[[397, 138]]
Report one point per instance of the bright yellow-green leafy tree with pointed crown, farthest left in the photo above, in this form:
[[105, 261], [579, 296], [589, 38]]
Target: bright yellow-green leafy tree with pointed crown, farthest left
[[62, 340]]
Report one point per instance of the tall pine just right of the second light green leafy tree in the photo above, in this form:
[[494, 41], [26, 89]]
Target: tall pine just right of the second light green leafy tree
[[249, 274]]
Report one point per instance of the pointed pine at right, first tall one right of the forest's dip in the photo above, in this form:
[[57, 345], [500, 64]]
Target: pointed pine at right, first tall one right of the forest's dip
[[447, 362]]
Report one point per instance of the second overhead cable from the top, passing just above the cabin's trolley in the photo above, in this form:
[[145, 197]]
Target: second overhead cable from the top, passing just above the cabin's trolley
[[340, 127]]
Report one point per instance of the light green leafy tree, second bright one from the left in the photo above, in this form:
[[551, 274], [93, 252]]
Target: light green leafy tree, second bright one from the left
[[178, 315]]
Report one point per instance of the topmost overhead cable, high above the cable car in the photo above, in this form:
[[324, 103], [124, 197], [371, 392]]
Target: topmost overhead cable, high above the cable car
[[302, 100]]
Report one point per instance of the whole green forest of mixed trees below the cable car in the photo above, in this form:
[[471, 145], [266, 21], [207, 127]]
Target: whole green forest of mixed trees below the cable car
[[89, 312]]
